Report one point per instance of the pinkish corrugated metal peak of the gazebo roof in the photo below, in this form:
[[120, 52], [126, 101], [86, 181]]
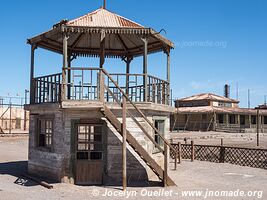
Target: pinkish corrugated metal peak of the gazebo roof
[[103, 18]]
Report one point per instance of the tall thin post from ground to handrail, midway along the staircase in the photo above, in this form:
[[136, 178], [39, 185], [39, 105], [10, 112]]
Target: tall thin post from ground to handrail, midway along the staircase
[[124, 164]]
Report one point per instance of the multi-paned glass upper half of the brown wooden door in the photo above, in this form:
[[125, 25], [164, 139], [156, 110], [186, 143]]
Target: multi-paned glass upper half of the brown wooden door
[[89, 145]]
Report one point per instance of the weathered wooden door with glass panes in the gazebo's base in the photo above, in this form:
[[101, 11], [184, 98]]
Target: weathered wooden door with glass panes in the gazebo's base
[[89, 154]]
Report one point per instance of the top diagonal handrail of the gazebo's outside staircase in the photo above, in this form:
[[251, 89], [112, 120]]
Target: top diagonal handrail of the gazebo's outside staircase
[[137, 109]]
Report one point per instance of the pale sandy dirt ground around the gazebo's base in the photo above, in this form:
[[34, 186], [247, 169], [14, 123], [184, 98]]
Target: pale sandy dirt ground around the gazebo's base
[[191, 178]]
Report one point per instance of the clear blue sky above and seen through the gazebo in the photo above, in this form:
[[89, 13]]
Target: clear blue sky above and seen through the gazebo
[[217, 42]]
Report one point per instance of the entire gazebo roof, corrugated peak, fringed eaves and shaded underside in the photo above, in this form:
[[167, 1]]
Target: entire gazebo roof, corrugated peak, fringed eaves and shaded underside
[[123, 37]]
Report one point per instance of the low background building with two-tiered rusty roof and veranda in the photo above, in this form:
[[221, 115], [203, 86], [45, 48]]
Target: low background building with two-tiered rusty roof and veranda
[[211, 112]]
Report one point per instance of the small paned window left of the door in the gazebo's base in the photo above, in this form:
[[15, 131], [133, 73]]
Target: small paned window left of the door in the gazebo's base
[[45, 132]]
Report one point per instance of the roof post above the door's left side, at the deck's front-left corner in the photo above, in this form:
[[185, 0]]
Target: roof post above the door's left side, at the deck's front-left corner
[[65, 65]]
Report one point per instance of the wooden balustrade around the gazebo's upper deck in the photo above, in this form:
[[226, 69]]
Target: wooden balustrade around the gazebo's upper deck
[[83, 84]]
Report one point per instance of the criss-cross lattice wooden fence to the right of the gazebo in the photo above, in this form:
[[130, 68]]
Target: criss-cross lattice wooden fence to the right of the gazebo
[[250, 157]]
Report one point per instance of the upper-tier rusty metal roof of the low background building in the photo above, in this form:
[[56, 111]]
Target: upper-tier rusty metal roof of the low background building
[[208, 96]]
